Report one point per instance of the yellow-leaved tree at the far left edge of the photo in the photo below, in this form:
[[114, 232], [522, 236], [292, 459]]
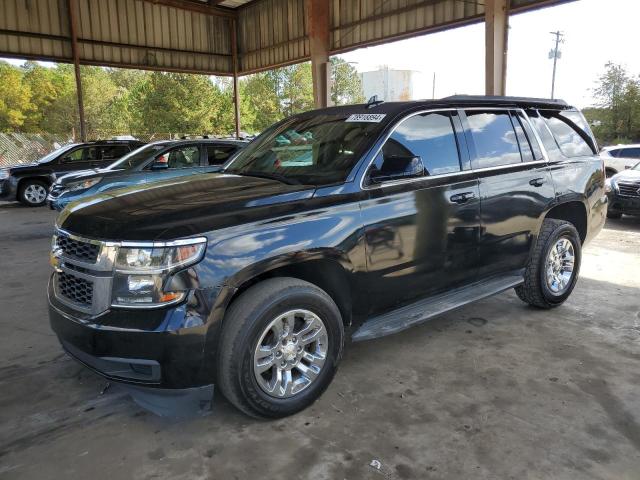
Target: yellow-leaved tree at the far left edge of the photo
[[15, 98]]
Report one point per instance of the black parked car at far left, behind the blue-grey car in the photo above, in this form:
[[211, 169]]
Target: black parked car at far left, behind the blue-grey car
[[29, 183]]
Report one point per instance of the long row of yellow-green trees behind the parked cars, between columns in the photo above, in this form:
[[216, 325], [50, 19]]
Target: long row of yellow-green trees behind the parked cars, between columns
[[34, 98]]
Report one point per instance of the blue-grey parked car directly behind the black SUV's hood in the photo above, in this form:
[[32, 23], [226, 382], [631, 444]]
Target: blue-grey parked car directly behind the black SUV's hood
[[150, 163]]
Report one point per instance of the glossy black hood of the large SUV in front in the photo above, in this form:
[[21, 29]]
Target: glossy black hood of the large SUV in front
[[181, 207]]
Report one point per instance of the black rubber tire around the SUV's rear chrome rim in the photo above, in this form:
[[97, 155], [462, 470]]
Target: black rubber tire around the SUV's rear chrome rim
[[535, 290]]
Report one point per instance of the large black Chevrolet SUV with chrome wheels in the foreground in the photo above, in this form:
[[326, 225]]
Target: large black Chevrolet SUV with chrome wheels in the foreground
[[348, 223]]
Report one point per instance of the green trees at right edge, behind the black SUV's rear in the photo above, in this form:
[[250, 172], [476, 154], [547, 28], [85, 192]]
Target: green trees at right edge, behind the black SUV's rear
[[616, 119]]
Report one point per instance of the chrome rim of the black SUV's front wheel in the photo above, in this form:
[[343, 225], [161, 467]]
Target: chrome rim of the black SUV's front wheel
[[290, 353]]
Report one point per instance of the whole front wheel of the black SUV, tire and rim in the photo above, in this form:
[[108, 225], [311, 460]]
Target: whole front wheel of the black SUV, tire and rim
[[280, 347]]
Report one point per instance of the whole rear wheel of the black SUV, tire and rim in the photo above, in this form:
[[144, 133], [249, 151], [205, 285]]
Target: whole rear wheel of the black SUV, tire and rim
[[554, 265]]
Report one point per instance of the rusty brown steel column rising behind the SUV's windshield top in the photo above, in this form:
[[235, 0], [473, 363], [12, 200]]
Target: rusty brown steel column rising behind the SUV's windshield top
[[319, 30]]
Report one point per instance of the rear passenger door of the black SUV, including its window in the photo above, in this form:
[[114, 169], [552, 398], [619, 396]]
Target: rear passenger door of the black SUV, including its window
[[515, 186]]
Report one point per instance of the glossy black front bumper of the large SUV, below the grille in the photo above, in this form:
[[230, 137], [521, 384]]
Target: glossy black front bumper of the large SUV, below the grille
[[155, 348]]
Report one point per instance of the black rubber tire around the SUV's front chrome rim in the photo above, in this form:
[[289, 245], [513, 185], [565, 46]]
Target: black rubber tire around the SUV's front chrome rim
[[248, 316]]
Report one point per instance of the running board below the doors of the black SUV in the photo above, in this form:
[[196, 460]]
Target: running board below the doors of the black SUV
[[423, 310]]
